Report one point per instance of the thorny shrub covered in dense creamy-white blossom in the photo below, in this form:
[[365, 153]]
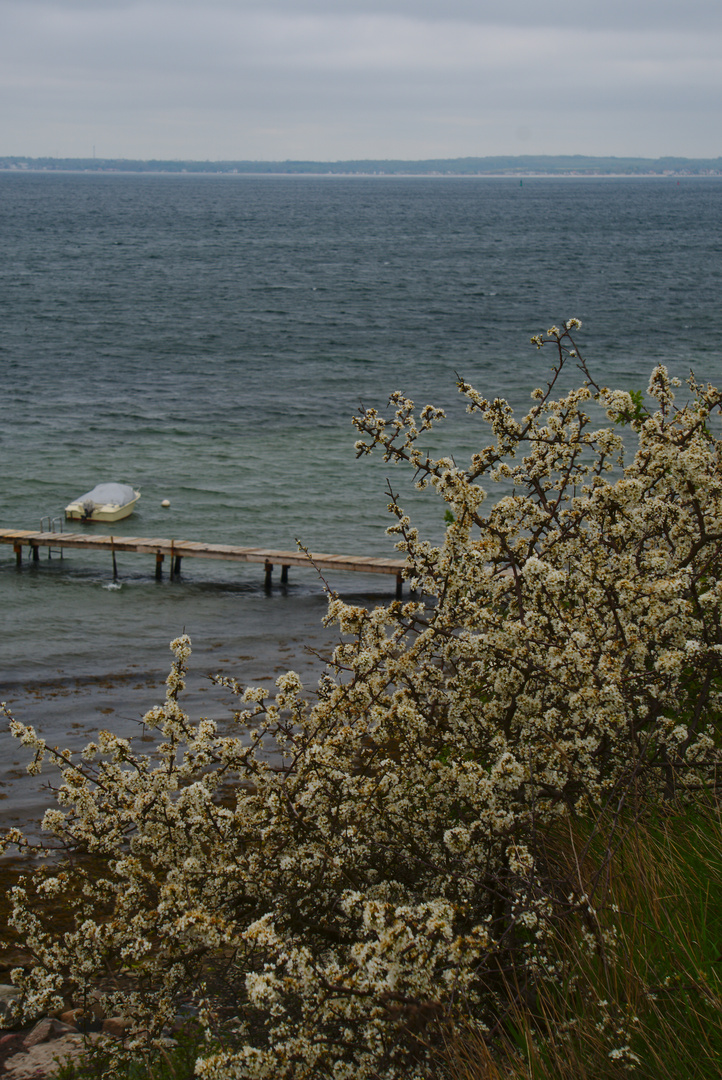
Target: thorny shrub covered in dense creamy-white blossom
[[388, 874]]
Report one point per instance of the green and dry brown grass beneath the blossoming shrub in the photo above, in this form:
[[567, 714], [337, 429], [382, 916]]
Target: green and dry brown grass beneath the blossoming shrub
[[647, 998]]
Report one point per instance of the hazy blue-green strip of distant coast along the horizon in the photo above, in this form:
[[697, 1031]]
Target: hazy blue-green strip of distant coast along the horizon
[[514, 168]]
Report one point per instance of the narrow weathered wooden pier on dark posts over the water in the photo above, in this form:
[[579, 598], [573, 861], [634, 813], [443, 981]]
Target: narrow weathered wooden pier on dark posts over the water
[[178, 550]]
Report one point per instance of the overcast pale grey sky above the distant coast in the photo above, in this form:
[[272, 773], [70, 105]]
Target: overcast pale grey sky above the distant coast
[[331, 80]]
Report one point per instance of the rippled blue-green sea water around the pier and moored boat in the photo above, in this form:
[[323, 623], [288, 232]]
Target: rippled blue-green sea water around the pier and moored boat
[[209, 340]]
